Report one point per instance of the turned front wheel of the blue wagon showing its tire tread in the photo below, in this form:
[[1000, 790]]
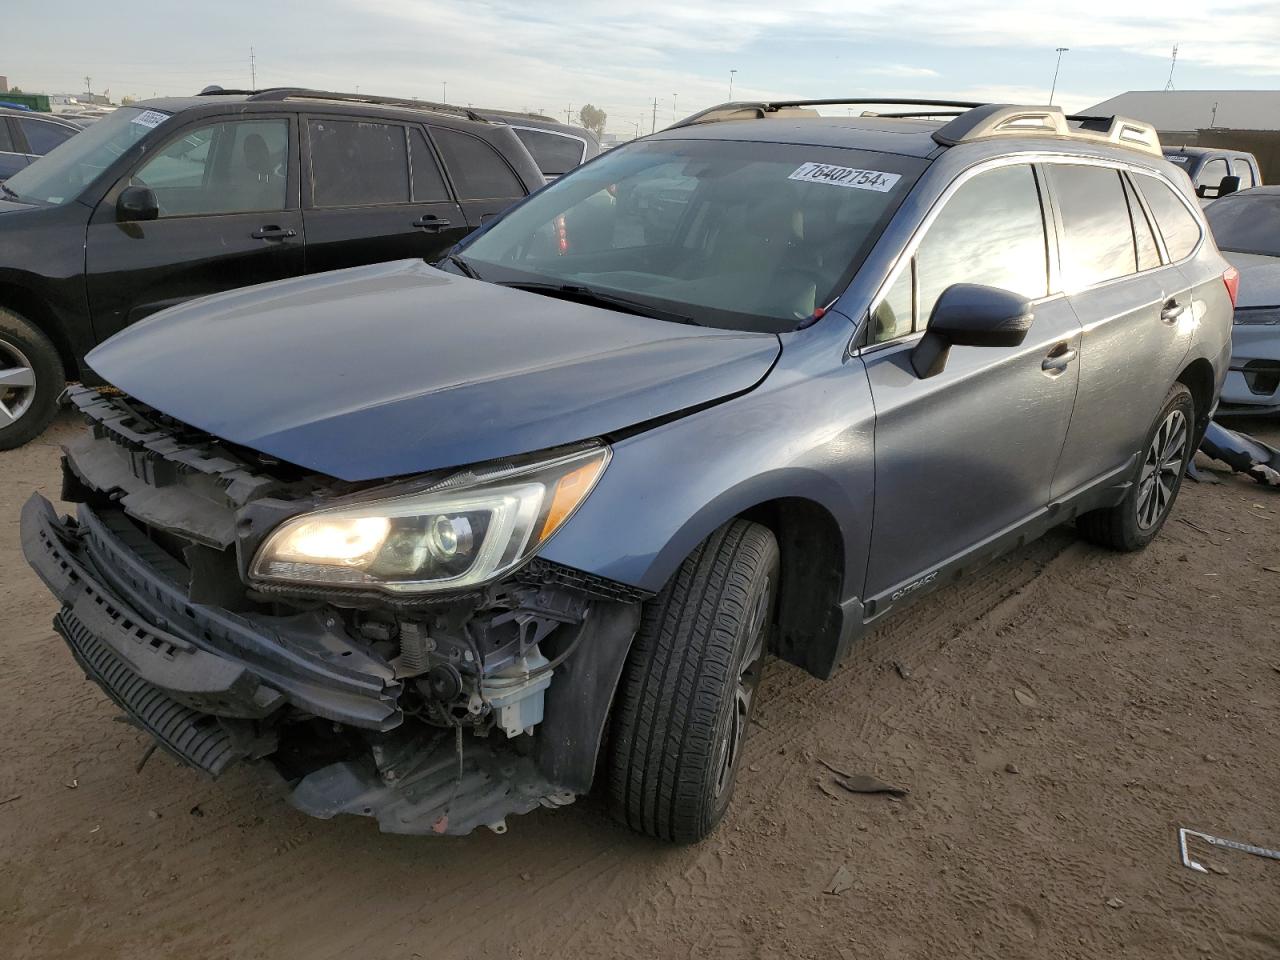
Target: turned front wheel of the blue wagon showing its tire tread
[[680, 720]]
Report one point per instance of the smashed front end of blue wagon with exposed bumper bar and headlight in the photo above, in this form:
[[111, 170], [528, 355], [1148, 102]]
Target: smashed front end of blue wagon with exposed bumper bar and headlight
[[232, 607]]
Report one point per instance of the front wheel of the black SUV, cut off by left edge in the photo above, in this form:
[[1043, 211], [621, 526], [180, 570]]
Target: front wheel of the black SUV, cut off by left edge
[[22, 345]]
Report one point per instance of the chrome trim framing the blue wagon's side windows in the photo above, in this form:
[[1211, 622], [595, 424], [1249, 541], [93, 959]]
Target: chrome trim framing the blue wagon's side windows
[[911, 248]]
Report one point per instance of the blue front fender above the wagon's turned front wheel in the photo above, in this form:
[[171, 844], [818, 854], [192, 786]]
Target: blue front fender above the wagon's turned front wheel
[[807, 433]]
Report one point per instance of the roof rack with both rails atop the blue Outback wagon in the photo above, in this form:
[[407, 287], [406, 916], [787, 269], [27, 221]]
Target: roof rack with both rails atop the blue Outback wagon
[[970, 121]]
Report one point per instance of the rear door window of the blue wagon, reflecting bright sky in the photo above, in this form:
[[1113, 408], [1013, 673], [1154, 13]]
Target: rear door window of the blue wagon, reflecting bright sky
[[1098, 235]]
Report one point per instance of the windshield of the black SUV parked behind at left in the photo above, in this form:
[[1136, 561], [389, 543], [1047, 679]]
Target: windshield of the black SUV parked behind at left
[[62, 175]]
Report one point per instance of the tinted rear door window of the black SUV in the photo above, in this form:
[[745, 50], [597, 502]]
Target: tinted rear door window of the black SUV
[[356, 163]]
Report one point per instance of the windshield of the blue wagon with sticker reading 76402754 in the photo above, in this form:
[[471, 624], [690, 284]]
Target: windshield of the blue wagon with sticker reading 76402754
[[734, 235]]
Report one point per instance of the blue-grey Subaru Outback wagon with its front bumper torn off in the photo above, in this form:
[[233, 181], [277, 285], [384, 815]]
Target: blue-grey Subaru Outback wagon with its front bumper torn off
[[450, 543]]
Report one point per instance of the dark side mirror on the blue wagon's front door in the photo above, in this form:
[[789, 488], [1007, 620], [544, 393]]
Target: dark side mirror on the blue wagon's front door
[[971, 316]]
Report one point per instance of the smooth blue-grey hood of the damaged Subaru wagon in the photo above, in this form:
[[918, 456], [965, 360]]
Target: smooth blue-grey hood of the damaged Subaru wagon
[[400, 369]]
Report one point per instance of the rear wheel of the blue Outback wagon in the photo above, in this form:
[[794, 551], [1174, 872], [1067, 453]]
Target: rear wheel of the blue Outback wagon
[[1135, 522]]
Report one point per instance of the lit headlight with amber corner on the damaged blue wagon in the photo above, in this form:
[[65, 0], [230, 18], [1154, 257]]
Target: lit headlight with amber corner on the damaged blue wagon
[[463, 532]]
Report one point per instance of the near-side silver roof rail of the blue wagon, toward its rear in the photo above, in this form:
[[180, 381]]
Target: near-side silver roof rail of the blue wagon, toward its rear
[[1009, 121]]
